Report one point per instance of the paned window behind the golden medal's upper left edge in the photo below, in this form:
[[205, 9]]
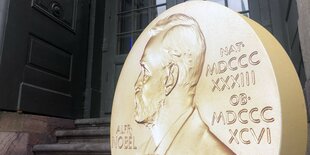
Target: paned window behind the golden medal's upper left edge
[[133, 16]]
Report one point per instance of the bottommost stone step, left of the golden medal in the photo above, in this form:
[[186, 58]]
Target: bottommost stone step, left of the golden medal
[[78, 147]]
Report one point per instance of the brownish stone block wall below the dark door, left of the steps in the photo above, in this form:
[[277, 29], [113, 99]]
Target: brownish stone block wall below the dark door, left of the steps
[[19, 132]]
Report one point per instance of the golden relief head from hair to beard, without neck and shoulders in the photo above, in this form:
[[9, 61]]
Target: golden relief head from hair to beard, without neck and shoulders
[[166, 62]]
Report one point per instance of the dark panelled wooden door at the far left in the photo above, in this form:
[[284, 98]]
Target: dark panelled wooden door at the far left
[[43, 64]]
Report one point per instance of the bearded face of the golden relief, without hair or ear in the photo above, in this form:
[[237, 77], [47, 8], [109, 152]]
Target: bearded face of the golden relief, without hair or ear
[[149, 88]]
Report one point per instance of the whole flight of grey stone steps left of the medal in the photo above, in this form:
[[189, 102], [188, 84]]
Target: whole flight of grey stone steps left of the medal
[[90, 137]]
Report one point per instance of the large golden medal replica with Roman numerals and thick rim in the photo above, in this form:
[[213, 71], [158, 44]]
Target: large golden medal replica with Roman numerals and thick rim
[[202, 79]]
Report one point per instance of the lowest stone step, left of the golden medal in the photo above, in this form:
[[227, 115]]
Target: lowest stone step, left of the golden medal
[[76, 149]]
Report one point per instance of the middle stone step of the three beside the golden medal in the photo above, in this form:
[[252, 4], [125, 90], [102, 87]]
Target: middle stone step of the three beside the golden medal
[[87, 135]]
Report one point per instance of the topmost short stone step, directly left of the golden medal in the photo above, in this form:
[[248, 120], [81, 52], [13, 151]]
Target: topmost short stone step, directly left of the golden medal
[[92, 122]]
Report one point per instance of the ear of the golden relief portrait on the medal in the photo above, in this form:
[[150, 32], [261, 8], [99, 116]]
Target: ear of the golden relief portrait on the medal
[[172, 78]]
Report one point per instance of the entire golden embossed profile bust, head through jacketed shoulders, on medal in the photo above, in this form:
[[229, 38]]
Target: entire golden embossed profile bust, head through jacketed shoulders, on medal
[[171, 66]]
